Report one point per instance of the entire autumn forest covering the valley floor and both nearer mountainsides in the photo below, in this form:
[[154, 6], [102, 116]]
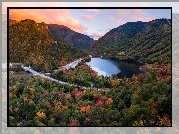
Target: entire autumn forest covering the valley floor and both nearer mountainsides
[[143, 100]]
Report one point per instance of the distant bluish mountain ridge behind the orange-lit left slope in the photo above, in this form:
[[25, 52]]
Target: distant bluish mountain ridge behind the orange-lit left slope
[[69, 36]]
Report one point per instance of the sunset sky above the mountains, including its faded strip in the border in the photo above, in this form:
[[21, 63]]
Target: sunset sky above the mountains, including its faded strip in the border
[[92, 22]]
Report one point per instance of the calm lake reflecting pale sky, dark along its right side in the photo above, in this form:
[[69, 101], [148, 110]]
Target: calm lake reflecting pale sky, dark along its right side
[[109, 67]]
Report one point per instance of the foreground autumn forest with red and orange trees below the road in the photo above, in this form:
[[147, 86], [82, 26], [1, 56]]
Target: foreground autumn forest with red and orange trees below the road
[[143, 100]]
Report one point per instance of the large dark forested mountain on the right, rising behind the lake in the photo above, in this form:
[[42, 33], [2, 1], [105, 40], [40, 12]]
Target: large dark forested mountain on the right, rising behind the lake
[[141, 42]]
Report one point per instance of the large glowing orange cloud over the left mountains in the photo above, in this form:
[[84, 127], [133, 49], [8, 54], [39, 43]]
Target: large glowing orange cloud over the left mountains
[[55, 16]]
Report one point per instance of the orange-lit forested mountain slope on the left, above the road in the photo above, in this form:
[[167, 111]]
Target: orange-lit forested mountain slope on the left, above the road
[[31, 44]]
